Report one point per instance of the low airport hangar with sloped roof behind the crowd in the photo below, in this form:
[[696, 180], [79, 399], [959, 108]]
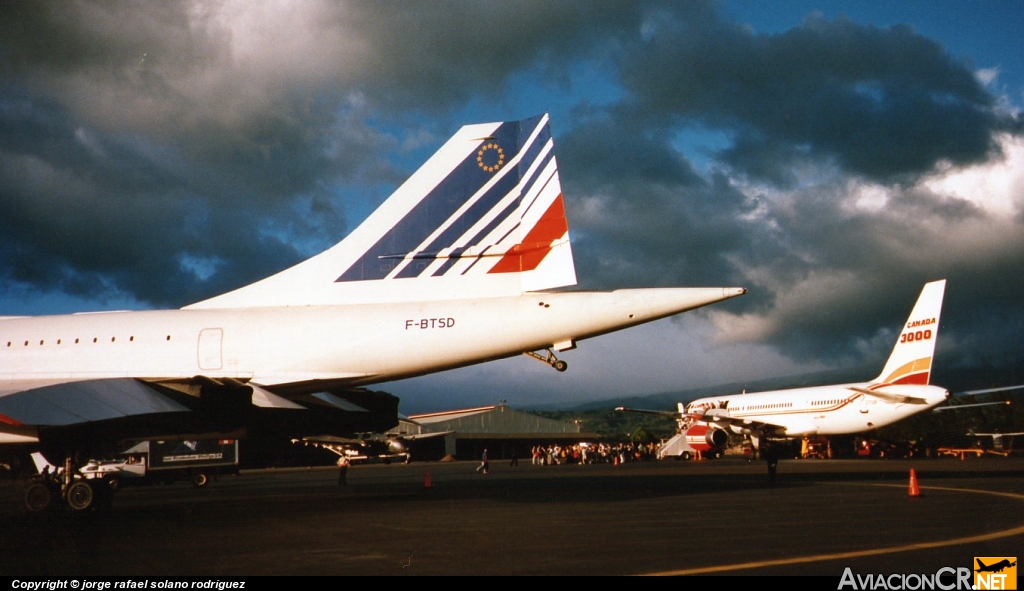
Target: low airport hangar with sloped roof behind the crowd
[[500, 430]]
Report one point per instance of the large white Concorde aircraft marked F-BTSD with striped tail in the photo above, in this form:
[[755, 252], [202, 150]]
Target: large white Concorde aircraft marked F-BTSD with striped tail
[[457, 268]]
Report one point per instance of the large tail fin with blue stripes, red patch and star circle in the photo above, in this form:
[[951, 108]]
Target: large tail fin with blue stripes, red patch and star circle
[[484, 217]]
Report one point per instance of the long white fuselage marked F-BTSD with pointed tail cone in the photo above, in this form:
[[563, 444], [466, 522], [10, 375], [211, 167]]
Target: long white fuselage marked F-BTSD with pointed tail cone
[[306, 348]]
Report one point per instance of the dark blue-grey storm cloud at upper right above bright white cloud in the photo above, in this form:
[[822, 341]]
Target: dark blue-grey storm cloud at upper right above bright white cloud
[[883, 103]]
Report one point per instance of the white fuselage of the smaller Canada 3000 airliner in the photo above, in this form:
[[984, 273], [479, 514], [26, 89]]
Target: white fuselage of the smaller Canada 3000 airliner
[[833, 410]]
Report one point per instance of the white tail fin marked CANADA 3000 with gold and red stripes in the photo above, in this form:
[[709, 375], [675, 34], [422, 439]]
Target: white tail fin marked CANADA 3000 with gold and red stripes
[[911, 362]]
